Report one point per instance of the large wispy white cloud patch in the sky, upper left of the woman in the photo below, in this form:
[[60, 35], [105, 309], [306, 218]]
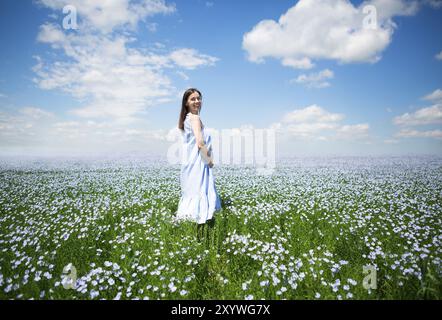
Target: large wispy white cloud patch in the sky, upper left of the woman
[[113, 80]]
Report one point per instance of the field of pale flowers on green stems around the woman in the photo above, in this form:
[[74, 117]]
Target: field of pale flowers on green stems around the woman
[[104, 230]]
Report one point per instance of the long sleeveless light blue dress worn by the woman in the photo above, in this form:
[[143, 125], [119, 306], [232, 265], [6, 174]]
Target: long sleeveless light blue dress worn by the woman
[[199, 198]]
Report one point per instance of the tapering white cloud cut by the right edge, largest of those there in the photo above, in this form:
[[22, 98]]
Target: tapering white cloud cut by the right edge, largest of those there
[[424, 116]]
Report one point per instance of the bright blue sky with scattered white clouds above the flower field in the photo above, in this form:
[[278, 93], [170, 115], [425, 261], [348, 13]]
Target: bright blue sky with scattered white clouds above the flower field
[[324, 89]]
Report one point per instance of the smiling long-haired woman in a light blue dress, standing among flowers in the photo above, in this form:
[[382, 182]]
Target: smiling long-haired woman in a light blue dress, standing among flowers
[[199, 198]]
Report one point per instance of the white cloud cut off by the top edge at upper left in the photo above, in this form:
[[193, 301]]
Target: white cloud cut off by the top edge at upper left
[[106, 16]]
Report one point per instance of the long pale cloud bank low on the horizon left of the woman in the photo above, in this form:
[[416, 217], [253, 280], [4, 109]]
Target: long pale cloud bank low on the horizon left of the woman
[[36, 131]]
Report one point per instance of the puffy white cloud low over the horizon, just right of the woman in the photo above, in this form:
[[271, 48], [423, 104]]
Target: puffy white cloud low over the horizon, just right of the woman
[[316, 123]]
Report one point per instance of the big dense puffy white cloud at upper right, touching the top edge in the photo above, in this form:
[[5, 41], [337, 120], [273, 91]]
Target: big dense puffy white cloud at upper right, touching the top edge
[[326, 29]]
